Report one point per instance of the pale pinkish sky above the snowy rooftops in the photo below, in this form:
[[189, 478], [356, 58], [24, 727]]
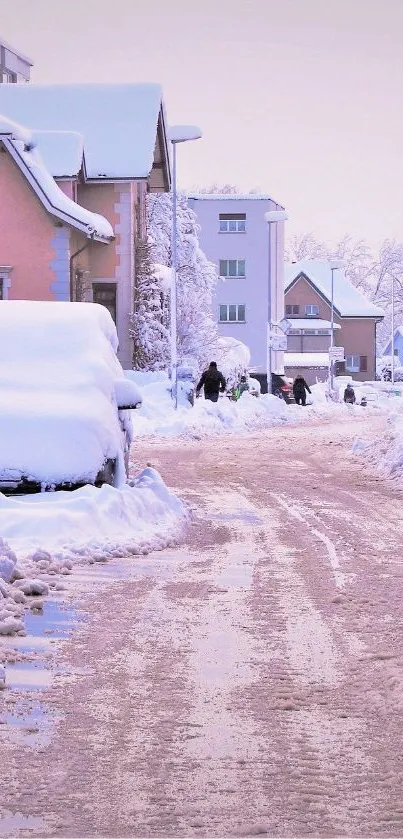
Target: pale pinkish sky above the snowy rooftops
[[300, 98]]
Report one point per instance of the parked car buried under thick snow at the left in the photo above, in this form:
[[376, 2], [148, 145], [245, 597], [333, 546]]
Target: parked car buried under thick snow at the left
[[65, 404]]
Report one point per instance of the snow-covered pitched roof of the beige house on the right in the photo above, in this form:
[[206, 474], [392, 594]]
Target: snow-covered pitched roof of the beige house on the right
[[348, 300]]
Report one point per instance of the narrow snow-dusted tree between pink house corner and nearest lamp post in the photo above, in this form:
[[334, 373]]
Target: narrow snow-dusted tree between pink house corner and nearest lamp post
[[148, 322]]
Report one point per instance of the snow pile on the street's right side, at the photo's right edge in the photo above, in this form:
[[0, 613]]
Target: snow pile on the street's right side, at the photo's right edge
[[385, 454]]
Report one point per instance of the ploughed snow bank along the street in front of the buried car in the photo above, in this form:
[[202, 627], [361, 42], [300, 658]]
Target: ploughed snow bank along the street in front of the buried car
[[50, 532]]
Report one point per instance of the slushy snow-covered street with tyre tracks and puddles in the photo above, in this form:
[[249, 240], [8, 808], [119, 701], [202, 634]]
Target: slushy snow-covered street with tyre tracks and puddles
[[249, 682]]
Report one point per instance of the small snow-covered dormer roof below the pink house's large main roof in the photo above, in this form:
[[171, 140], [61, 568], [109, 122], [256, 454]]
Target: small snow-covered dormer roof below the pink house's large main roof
[[61, 151]]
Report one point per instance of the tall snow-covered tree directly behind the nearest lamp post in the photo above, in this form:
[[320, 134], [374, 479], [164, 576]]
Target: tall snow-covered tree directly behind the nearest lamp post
[[196, 277]]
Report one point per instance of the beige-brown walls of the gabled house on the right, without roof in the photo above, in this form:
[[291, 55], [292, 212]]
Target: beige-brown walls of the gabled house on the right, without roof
[[356, 335]]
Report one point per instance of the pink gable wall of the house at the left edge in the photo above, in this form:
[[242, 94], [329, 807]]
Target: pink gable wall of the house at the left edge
[[30, 241]]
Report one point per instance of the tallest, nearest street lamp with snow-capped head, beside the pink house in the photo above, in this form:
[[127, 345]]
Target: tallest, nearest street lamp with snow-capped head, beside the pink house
[[176, 134]]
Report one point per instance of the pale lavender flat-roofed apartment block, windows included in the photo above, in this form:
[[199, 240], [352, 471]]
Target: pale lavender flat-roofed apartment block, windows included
[[235, 236]]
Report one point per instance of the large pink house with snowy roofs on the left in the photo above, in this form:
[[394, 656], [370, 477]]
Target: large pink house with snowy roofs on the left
[[76, 163]]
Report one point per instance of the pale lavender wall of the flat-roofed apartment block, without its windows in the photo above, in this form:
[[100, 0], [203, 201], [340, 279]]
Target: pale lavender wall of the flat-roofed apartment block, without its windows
[[252, 291]]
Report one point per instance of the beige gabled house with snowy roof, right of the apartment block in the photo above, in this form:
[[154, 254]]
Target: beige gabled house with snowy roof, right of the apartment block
[[308, 295]]
